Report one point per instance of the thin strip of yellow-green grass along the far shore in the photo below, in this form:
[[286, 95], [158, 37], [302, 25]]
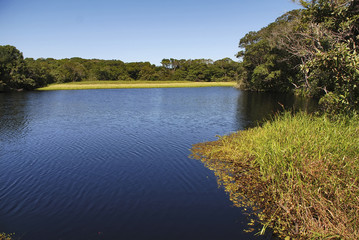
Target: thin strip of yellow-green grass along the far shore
[[132, 84]]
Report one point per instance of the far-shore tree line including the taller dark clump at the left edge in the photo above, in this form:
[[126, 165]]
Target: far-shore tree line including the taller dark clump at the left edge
[[19, 73]]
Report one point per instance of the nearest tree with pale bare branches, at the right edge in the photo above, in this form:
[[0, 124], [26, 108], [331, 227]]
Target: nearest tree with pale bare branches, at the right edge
[[325, 38]]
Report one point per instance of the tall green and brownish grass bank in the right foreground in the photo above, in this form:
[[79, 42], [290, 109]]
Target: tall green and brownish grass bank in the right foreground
[[301, 172]]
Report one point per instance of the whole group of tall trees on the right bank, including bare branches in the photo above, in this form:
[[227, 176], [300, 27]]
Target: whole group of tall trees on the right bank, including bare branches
[[312, 51]]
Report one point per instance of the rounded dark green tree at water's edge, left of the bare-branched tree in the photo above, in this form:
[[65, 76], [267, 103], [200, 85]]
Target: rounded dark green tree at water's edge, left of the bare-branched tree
[[266, 67]]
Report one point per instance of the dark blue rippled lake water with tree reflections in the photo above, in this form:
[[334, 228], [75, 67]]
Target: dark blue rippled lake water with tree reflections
[[113, 164]]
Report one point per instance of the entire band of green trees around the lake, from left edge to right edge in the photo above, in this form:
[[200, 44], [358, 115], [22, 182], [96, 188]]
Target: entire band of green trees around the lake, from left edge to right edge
[[312, 51]]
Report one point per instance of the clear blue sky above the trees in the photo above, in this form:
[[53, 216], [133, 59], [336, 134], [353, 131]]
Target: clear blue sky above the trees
[[134, 30]]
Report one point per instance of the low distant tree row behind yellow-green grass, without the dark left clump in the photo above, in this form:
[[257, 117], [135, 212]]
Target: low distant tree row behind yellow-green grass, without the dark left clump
[[199, 70]]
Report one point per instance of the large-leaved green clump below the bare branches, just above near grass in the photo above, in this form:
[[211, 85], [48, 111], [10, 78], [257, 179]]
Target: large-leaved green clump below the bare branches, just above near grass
[[337, 72]]
